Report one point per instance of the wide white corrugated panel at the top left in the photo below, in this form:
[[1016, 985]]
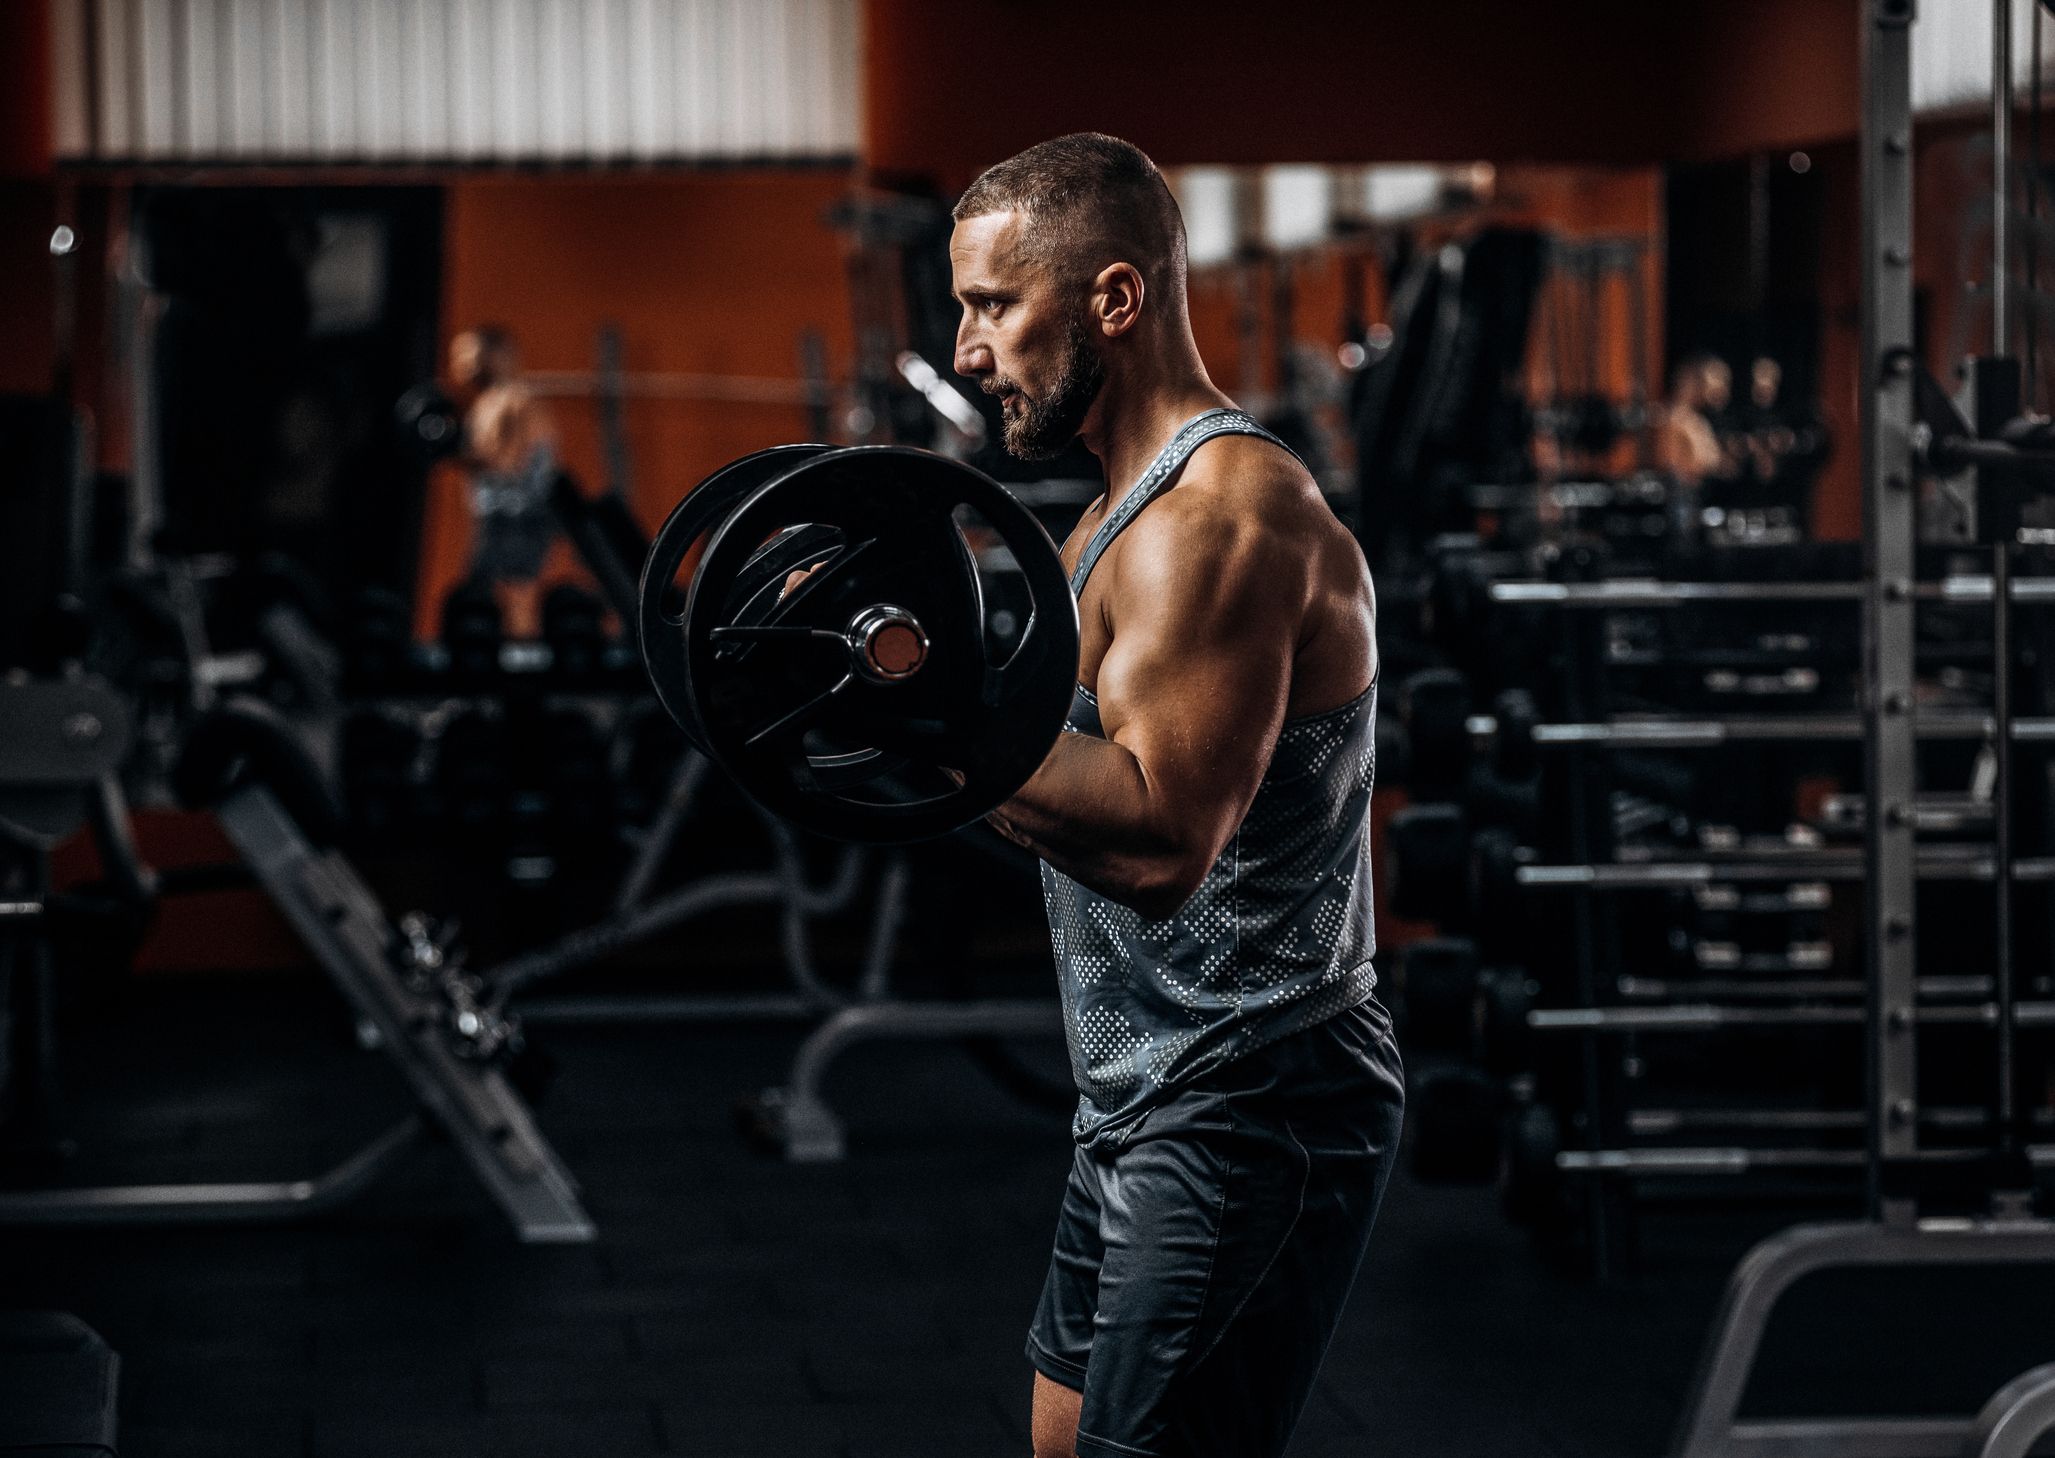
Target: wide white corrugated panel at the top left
[[468, 81]]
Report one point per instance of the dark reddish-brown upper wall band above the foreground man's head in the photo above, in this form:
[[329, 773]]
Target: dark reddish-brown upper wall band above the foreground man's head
[[952, 89]]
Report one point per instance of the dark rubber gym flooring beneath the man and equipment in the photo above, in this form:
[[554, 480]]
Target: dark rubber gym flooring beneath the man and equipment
[[743, 1307]]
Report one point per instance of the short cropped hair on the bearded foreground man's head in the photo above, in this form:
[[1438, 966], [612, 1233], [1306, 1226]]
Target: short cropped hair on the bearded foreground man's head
[[1088, 201]]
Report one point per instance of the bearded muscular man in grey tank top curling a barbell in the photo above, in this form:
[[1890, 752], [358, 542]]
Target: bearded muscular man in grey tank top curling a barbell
[[1205, 838]]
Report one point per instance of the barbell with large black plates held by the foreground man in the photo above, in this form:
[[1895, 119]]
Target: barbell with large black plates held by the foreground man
[[866, 702]]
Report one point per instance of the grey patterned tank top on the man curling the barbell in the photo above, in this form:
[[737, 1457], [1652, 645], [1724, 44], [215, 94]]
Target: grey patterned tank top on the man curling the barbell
[[1277, 937]]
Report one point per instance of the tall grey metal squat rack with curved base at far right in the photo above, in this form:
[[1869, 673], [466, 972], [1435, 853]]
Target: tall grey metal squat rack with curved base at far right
[[1894, 1233]]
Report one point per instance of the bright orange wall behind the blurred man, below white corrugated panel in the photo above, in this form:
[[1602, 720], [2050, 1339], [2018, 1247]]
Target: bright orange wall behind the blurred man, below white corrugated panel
[[704, 272]]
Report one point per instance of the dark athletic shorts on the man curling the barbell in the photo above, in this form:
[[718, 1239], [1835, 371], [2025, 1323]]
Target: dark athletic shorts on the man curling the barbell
[[1201, 1268]]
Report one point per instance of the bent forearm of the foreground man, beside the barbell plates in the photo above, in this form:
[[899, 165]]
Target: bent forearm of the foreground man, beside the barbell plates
[[1092, 813]]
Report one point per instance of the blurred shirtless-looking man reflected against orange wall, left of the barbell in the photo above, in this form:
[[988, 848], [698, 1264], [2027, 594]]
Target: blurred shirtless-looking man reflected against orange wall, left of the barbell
[[511, 447]]
